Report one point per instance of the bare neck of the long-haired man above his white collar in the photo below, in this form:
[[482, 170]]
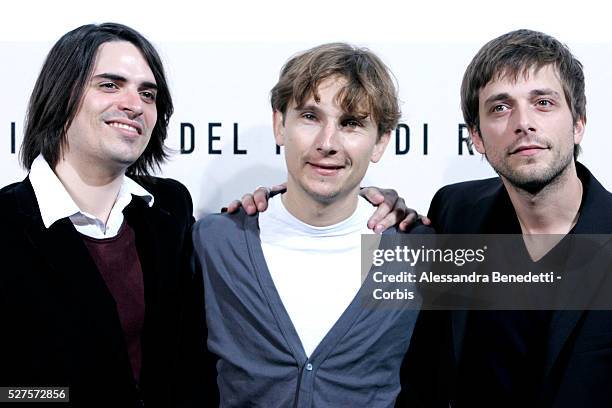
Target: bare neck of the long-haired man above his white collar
[[92, 190]]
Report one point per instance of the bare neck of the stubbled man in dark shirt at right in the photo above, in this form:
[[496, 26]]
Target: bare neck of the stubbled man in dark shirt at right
[[552, 210]]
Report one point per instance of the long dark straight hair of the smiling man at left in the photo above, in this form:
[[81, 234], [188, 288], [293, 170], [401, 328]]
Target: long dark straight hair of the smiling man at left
[[59, 89]]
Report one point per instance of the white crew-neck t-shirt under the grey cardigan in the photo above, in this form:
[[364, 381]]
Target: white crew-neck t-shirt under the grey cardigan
[[316, 270]]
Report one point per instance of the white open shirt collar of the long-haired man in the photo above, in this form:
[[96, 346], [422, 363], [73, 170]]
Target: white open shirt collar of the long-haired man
[[55, 203]]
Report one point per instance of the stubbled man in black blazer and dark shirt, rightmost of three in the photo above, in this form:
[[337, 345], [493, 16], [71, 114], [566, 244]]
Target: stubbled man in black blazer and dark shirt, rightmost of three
[[523, 100]]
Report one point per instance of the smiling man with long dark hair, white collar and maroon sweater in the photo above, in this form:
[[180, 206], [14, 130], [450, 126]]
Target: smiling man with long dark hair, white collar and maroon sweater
[[94, 249]]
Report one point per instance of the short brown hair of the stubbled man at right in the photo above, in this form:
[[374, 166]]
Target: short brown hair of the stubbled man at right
[[513, 54]]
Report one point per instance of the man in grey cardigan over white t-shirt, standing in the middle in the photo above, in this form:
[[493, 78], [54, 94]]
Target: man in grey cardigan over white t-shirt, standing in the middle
[[281, 288]]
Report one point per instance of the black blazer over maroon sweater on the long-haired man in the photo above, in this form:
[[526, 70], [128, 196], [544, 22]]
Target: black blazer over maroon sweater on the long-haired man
[[60, 323]]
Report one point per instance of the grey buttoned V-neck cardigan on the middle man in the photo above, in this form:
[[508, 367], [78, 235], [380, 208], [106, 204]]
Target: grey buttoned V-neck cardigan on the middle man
[[261, 359]]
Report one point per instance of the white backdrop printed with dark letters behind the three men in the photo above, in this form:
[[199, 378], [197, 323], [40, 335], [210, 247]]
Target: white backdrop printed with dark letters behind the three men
[[222, 61]]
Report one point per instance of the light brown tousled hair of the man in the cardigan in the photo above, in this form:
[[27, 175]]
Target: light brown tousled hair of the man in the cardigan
[[370, 85]]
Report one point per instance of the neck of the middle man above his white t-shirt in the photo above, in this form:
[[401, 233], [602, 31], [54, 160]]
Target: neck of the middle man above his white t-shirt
[[319, 213]]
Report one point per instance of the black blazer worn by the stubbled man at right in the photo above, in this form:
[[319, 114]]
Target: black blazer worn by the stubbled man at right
[[578, 360]]
